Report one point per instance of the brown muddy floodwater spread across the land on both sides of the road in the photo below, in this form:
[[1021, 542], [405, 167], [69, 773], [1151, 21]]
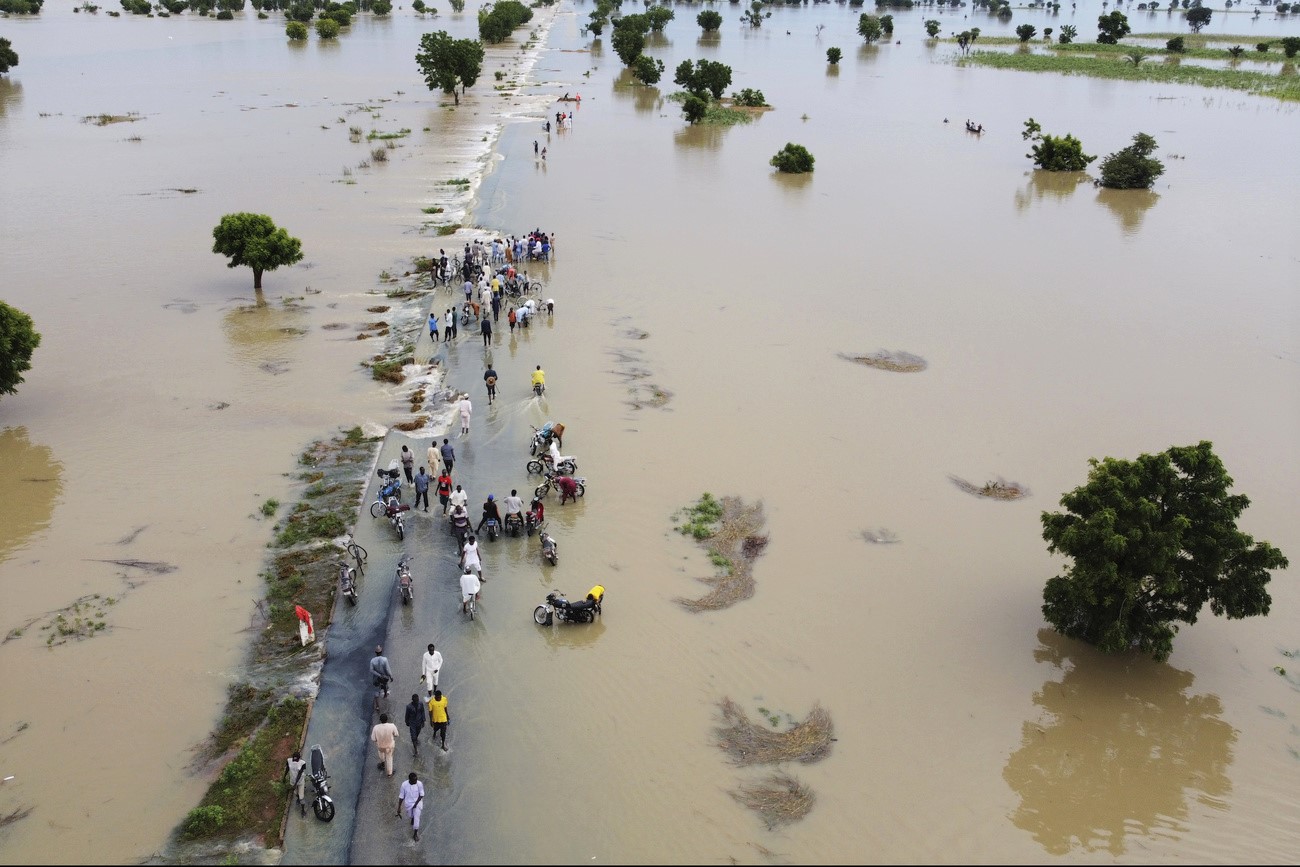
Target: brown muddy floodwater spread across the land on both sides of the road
[[1059, 324]]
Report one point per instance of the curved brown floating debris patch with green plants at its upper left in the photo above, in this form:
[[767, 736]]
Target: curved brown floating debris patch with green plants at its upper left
[[729, 532]]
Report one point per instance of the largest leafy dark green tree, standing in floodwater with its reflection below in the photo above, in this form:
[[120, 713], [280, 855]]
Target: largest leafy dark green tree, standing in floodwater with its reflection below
[[1152, 541]]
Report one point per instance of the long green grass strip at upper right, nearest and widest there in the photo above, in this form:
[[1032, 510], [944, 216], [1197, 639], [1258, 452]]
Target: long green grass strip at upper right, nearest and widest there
[[1286, 88]]
